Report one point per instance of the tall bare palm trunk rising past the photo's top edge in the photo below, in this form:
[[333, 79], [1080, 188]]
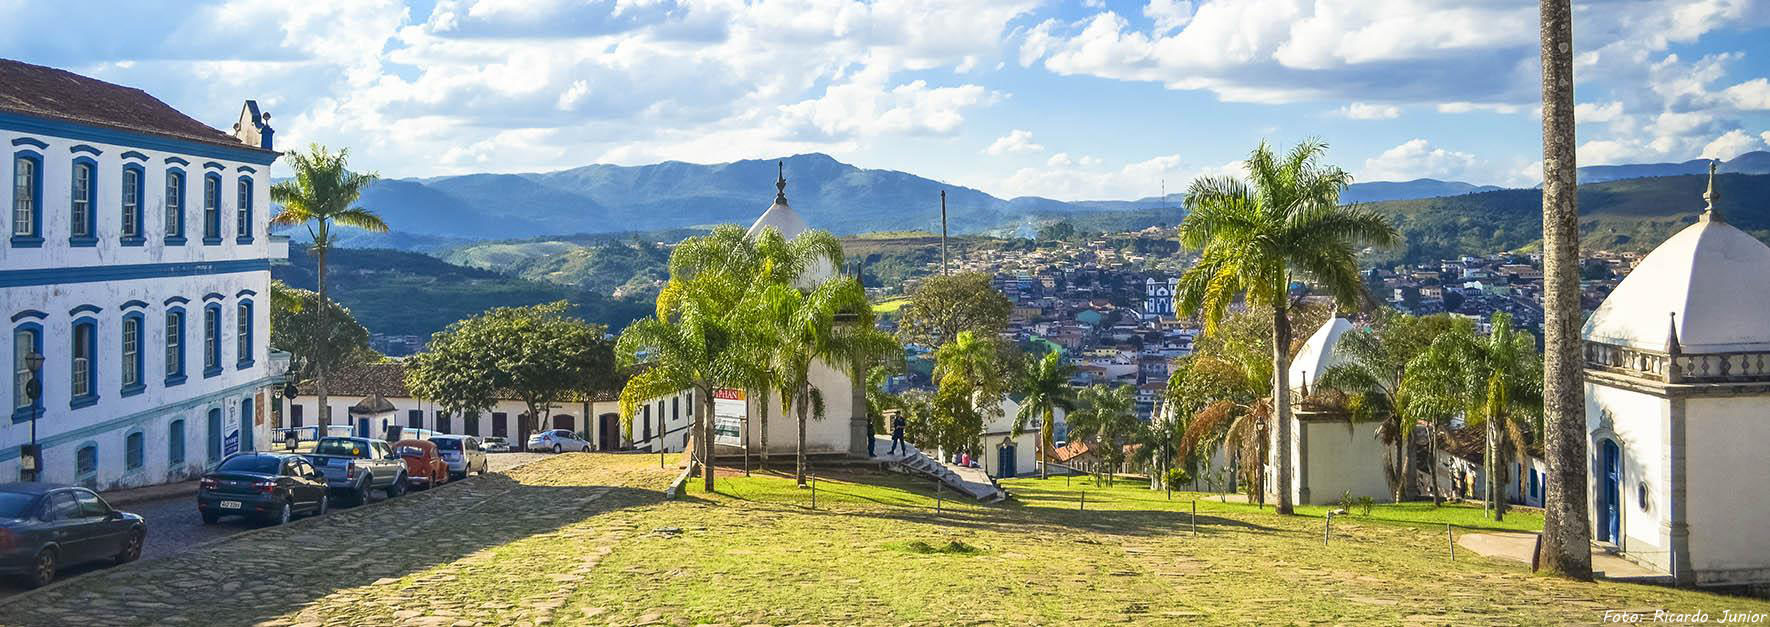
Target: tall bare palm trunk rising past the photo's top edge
[[1567, 525]]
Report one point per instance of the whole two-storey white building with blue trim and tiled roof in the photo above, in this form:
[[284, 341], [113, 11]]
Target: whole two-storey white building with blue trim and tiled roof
[[137, 265]]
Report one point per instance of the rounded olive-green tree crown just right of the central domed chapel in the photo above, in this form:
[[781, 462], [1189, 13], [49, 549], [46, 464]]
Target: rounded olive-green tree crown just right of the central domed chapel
[[944, 307]]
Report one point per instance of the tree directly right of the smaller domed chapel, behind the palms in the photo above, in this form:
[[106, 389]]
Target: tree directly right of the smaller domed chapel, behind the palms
[[1374, 373]]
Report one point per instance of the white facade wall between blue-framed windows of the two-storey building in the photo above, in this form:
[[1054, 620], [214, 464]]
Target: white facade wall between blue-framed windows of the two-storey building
[[58, 284]]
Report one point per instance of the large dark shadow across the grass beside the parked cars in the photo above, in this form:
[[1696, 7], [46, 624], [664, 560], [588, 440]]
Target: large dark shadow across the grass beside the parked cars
[[291, 568]]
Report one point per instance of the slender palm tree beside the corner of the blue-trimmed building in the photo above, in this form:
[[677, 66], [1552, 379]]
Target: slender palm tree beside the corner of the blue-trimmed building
[[323, 194]]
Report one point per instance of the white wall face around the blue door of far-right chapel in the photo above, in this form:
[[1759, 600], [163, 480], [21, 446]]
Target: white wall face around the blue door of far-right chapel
[[1642, 430]]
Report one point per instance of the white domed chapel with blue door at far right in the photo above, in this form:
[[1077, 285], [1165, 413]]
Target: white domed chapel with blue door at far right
[[1679, 408]]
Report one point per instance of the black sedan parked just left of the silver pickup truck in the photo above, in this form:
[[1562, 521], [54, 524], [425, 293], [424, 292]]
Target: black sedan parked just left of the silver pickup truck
[[272, 488]]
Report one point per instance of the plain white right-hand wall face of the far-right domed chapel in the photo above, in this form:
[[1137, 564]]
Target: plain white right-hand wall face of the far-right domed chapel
[[1728, 490]]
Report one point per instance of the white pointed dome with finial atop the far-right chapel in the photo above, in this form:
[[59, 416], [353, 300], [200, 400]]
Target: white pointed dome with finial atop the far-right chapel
[[1711, 283]]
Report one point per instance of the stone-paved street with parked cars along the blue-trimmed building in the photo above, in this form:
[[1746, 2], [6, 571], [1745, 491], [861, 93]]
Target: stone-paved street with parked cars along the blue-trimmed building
[[174, 529]]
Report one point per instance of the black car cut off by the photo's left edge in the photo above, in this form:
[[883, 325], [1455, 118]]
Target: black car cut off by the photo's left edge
[[47, 527]]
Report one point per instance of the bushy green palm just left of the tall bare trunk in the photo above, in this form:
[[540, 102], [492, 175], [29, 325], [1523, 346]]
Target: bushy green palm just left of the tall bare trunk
[[1497, 383]]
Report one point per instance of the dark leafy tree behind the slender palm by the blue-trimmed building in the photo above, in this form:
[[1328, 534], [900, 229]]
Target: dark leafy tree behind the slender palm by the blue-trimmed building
[[296, 329]]
